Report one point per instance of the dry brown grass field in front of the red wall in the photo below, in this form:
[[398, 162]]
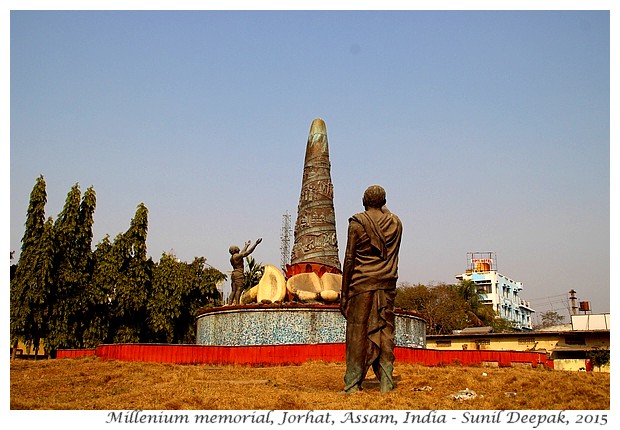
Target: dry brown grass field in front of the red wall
[[95, 384]]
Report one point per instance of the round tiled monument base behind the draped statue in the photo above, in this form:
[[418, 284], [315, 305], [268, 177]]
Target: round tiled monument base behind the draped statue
[[289, 324]]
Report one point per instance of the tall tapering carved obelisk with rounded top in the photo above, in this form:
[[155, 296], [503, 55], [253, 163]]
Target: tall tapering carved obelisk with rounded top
[[316, 244]]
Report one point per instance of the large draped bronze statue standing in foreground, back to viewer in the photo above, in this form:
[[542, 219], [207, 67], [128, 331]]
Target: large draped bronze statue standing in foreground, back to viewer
[[369, 280]]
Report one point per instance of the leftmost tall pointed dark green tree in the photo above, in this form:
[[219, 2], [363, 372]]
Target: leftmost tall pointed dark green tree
[[33, 275]]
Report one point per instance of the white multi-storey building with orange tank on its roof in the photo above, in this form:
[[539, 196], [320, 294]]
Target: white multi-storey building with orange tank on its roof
[[498, 291]]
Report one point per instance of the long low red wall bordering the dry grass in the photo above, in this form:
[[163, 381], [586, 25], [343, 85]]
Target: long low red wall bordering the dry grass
[[294, 354]]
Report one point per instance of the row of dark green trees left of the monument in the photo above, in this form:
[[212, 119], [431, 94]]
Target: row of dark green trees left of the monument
[[66, 295]]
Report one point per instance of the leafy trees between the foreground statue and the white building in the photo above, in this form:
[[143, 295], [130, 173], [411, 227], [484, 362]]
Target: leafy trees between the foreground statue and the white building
[[448, 307]]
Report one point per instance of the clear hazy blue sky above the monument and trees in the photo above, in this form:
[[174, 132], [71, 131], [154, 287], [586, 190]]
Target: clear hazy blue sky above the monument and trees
[[490, 131]]
